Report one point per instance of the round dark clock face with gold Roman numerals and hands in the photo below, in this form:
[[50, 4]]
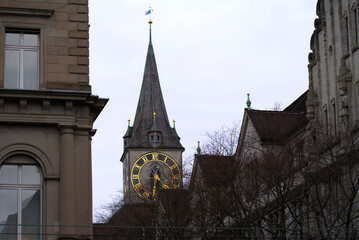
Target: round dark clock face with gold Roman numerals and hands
[[152, 172]]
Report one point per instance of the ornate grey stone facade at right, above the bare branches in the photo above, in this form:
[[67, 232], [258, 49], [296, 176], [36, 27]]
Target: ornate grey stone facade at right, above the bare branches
[[333, 97]]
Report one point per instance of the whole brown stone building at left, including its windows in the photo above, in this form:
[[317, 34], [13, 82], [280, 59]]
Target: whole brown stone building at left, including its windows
[[47, 112]]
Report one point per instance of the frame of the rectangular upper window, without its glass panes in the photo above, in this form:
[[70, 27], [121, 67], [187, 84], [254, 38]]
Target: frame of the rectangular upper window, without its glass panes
[[22, 48]]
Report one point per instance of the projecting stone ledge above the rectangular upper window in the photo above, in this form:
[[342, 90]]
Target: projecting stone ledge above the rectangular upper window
[[28, 12]]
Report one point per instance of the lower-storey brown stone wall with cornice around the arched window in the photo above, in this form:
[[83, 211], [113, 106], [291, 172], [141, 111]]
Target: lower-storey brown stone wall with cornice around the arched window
[[55, 131]]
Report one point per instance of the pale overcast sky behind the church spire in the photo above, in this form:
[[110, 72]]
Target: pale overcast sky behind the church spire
[[209, 53]]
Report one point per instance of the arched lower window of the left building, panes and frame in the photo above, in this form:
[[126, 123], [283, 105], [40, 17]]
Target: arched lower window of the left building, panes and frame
[[20, 205]]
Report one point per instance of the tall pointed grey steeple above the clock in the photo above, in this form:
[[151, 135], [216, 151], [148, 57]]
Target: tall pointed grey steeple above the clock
[[151, 114]]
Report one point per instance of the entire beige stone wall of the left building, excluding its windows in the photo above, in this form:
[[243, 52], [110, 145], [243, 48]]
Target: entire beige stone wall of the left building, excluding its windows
[[53, 125]]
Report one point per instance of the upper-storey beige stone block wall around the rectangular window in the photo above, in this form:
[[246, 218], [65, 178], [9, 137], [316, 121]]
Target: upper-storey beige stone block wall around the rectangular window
[[64, 39]]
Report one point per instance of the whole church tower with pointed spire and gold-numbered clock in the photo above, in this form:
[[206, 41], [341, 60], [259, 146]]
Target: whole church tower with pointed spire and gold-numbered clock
[[152, 157]]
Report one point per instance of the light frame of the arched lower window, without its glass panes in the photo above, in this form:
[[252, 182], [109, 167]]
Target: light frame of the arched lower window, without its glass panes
[[19, 187]]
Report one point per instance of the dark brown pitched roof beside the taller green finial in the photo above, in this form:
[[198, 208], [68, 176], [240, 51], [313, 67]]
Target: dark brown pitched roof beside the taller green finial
[[276, 125]]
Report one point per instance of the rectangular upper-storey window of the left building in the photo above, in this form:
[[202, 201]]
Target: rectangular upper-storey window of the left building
[[22, 60]]
